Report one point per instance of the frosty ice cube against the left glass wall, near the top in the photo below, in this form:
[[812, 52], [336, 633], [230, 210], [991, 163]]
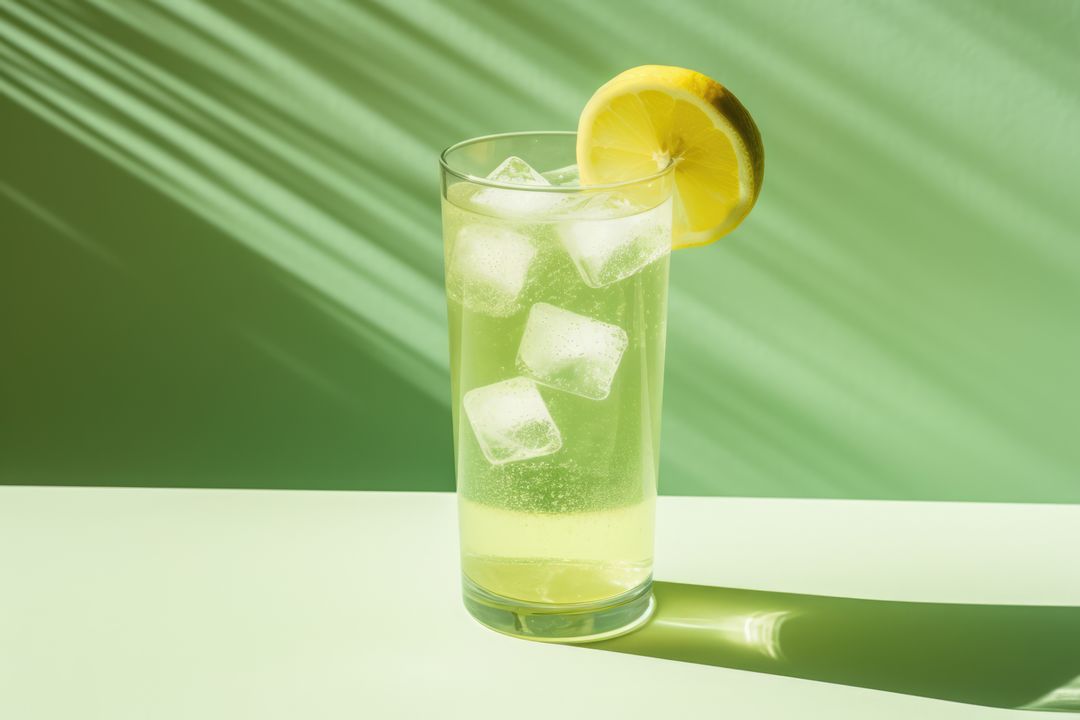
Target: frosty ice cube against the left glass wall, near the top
[[489, 269]]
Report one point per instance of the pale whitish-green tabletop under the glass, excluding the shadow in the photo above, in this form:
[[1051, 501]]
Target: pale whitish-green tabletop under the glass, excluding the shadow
[[124, 604]]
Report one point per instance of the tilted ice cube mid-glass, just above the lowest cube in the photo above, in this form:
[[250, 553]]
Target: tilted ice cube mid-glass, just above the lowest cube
[[571, 352]]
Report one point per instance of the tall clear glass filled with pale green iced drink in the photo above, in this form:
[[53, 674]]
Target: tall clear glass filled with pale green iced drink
[[558, 298]]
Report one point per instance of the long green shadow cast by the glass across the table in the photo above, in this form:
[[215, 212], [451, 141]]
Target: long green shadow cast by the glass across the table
[[1008, 657]]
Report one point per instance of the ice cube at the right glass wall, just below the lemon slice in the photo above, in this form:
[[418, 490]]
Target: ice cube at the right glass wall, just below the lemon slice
[[609, 242]]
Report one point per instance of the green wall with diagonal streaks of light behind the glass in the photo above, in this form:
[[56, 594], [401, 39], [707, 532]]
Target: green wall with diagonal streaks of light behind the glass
[[221, 263]]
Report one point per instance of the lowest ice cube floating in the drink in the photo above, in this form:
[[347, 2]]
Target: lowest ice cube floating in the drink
[[511, 422]]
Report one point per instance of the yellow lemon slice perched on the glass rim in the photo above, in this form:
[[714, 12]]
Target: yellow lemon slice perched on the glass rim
[[655, 115]]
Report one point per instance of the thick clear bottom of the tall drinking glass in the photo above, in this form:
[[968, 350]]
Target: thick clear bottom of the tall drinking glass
[[584, 622]]
